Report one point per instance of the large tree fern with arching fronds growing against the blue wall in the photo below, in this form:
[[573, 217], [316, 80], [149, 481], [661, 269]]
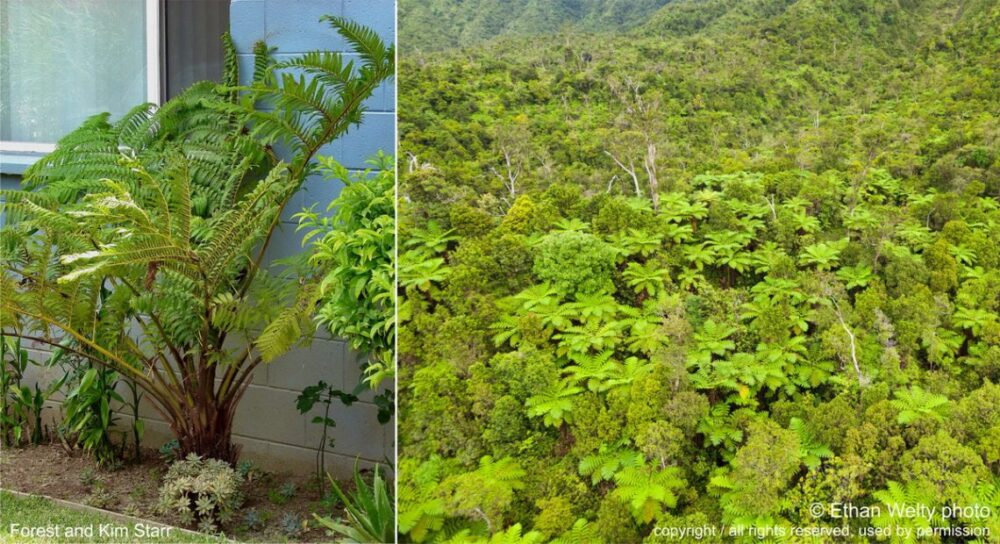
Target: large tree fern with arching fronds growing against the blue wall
[[140, 244]]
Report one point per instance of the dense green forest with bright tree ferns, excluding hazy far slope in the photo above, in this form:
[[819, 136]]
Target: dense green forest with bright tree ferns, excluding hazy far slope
[[739, 261]]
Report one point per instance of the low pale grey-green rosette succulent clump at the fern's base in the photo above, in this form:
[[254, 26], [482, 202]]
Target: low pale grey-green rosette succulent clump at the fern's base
[[205, 492]]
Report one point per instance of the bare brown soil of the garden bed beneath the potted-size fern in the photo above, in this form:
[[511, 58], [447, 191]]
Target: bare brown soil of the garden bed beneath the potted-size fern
[[133, 489]]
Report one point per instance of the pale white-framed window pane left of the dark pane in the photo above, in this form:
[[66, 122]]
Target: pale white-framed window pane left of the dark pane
[[62, 61]]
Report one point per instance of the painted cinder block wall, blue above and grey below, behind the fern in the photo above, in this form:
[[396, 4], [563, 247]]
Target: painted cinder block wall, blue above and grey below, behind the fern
[[268, 425]]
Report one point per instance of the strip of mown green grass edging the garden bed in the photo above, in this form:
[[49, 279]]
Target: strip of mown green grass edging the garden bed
[[36, 519]]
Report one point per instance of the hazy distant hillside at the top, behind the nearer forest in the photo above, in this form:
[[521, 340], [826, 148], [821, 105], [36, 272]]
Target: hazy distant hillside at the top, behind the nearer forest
[[440, 24]]
